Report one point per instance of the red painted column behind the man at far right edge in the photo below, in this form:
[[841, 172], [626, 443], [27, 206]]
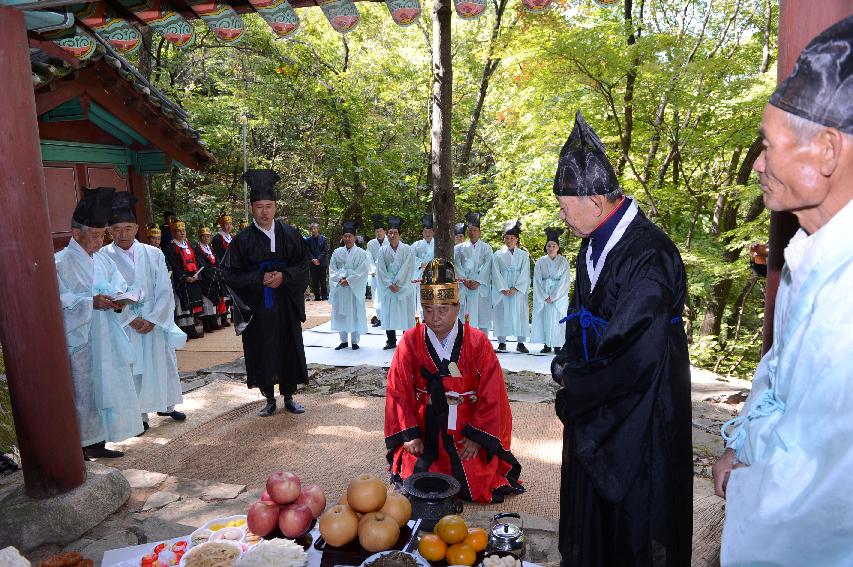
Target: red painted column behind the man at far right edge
[[799, 22]]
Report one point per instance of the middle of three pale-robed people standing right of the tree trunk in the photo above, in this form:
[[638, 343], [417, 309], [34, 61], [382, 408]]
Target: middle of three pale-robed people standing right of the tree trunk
[[510, 285]]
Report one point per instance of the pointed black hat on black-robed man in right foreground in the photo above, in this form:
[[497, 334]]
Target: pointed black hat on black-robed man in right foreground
[[583, 168]]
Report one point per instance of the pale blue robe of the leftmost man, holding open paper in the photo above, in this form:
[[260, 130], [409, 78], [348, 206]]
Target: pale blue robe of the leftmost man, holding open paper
[[98, 348]]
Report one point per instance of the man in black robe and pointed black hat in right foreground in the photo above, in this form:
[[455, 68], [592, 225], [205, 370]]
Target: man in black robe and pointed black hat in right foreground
[[627, 472]]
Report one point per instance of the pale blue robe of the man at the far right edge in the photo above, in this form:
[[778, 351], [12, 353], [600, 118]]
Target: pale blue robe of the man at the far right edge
[[793, 502]]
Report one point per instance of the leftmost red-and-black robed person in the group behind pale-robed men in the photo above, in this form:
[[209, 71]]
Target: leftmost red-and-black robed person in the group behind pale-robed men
[[189, 300]]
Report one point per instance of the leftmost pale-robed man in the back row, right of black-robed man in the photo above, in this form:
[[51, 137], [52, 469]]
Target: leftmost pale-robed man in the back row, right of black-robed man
[[348, 269]]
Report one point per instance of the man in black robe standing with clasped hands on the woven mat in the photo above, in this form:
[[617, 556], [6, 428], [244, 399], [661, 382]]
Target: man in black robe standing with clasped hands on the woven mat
[[266, 269]]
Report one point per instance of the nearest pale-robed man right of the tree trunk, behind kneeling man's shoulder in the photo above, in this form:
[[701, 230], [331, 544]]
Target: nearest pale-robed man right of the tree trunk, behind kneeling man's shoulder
[[473, 259]]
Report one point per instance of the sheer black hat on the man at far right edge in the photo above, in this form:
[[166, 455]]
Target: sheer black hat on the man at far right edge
[[820, 88]]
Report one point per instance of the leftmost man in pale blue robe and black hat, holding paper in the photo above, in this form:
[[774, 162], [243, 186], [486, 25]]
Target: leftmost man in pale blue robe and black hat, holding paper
[[90, 290]]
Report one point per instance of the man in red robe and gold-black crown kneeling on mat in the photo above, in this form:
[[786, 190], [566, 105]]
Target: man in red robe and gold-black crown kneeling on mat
[[446, 407]]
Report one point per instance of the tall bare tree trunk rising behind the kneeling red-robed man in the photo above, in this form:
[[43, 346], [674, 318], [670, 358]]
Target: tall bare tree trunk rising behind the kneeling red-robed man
[[443, 199]]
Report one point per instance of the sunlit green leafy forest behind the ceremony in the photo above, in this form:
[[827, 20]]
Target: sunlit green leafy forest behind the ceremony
[[675, 89]]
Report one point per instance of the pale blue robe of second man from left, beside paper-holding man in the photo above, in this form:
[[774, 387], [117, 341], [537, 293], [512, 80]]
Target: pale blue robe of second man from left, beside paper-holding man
[[155, 368]]
